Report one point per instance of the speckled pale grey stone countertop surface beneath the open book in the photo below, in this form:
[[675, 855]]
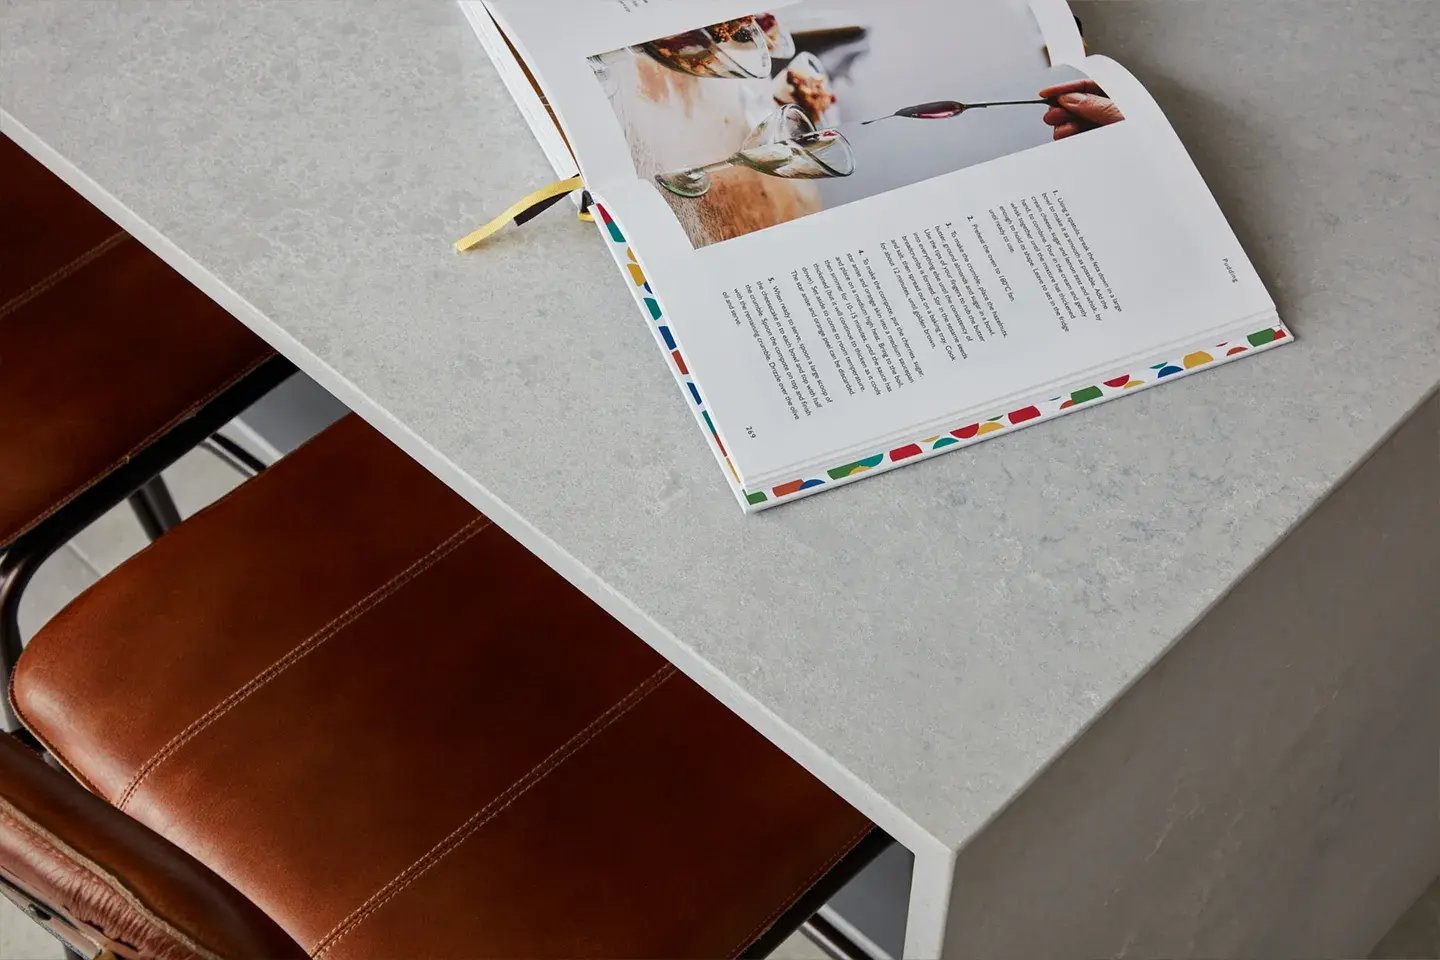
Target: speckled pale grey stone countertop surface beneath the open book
[[927, 641]]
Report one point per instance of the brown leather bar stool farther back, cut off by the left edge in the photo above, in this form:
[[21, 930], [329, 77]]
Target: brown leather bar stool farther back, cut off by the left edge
[[112, 368]]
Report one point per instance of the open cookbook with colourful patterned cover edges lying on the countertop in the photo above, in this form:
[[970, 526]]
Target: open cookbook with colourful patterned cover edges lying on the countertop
[[866, 234]]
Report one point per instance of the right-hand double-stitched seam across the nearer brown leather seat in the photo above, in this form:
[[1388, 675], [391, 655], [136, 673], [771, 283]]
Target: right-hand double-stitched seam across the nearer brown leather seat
[[493, 810]]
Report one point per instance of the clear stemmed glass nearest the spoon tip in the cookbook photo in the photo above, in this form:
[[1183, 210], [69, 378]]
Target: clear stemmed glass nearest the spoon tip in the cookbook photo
[[786, 145]]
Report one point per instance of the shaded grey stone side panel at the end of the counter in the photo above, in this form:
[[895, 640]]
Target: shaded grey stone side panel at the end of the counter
[[1271, 788]]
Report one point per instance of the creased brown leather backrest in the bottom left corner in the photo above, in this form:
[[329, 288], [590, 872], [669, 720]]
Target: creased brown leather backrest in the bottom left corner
[[106, 882]]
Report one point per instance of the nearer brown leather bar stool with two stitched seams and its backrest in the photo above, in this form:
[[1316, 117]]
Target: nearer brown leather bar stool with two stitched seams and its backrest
[[395, 733]]
